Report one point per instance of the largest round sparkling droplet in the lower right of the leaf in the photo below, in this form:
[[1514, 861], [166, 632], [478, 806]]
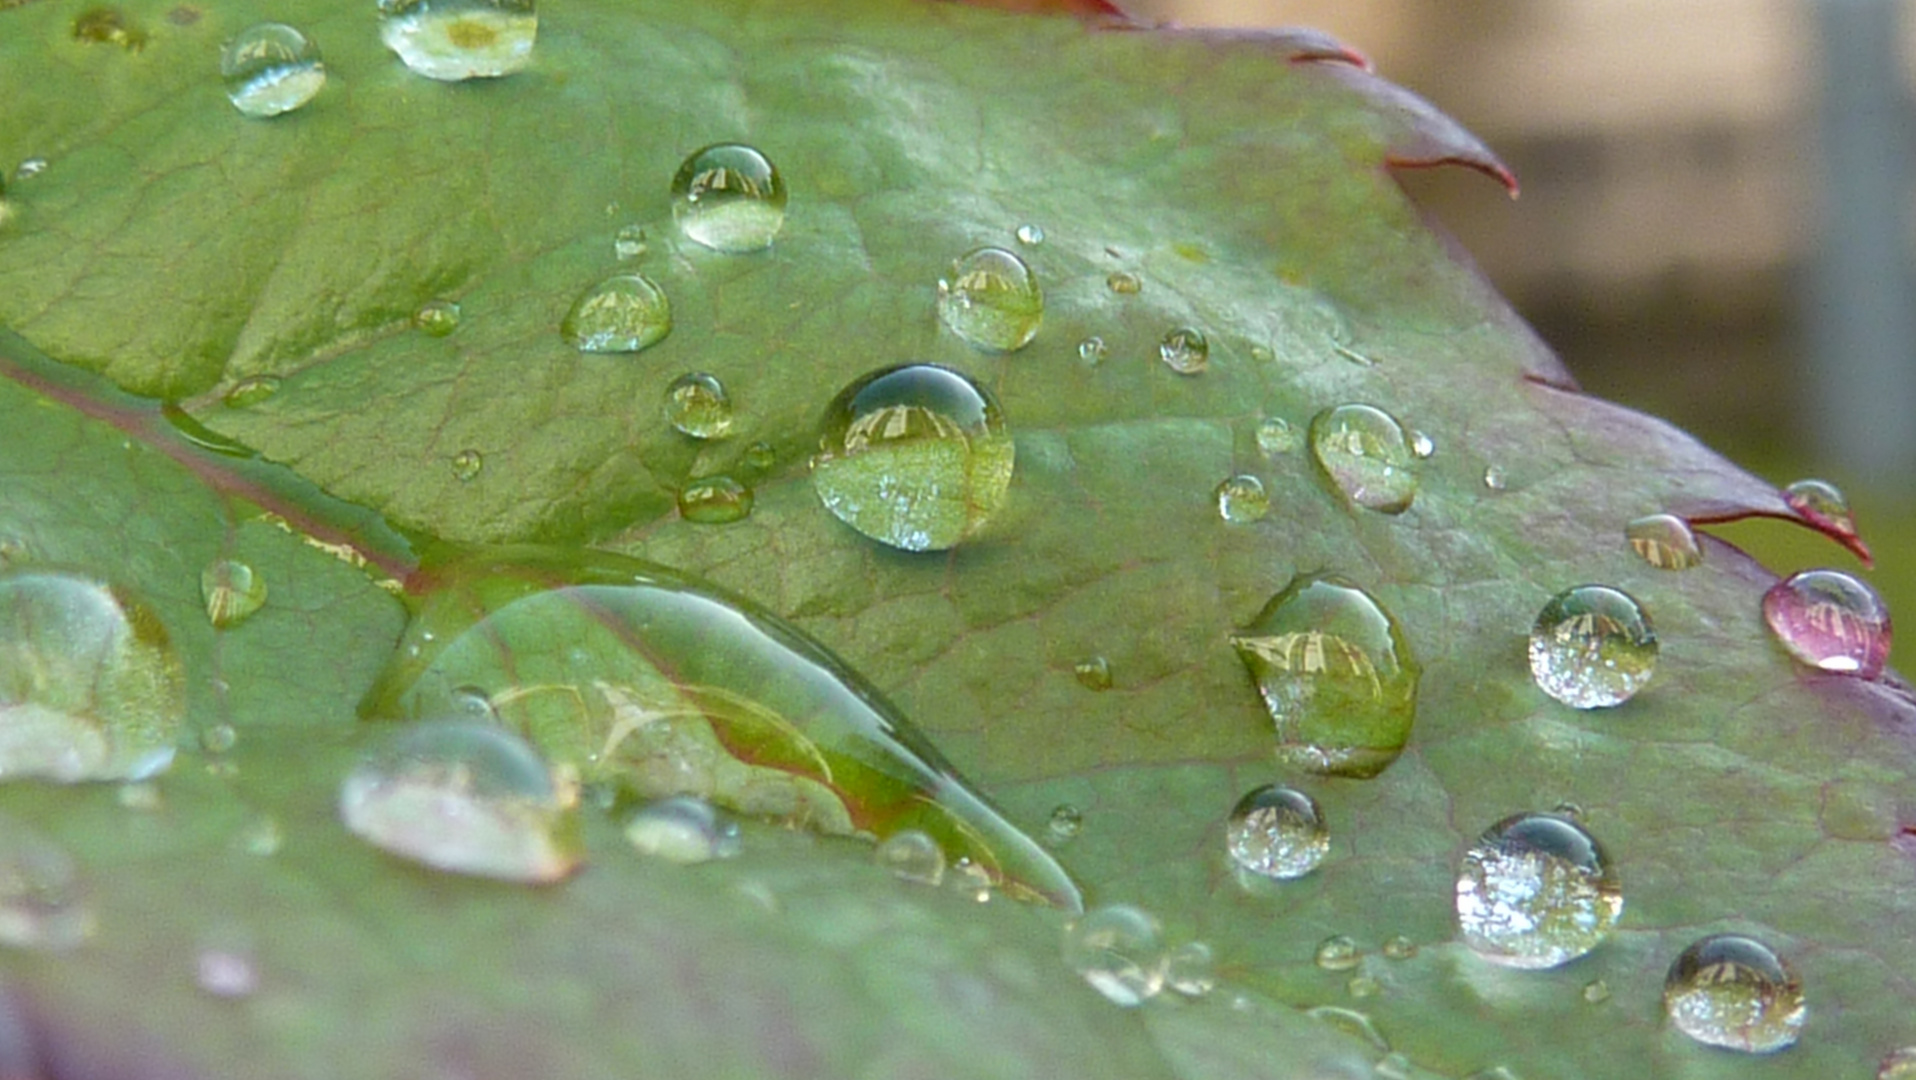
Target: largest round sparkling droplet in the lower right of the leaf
[[1536, 891]]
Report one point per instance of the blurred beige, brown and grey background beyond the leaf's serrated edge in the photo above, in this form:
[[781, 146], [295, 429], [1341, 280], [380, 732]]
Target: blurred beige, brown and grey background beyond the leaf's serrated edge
[[1718, 219]]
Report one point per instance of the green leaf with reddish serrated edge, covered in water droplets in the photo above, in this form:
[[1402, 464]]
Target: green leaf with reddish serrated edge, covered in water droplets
[[177, 248]]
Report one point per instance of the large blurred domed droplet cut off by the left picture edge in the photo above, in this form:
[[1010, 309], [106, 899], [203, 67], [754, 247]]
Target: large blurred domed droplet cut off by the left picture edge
[[91, 686]]
